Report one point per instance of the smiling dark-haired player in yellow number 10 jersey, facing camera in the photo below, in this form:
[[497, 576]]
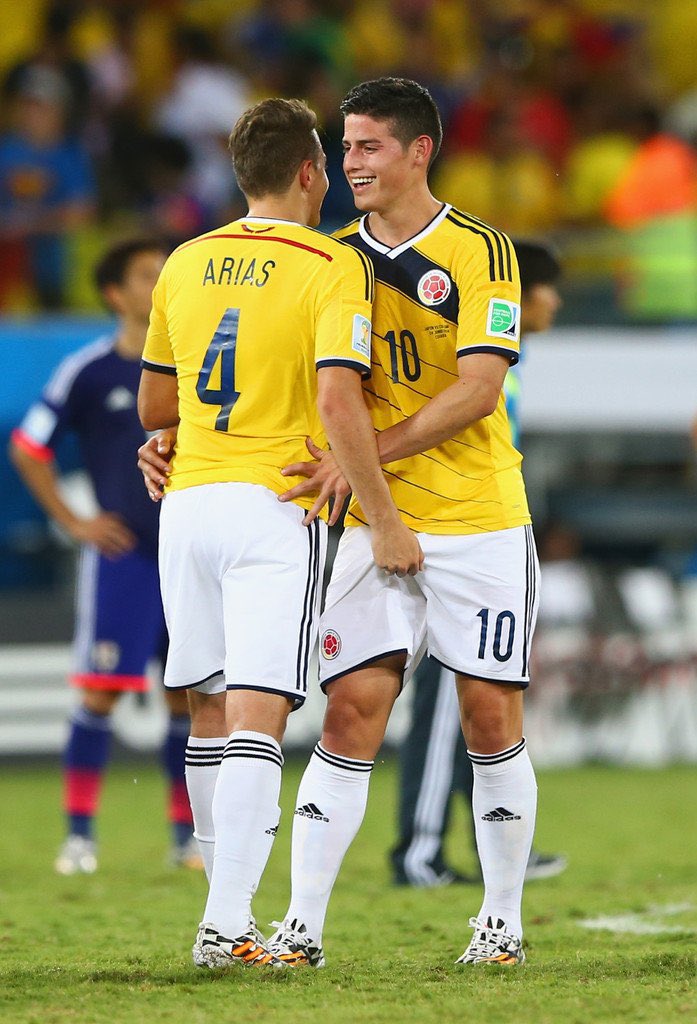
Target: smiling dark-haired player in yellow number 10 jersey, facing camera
[[446, 330]]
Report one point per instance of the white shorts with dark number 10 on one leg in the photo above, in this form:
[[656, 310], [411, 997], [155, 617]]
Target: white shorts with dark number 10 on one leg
[[473, 607]]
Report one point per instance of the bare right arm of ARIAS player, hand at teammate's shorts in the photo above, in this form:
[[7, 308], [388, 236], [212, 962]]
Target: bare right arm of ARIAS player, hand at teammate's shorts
[[351, 433]]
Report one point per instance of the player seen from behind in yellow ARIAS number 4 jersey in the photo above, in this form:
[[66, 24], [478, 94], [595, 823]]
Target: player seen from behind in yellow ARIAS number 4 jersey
[[259, 336]]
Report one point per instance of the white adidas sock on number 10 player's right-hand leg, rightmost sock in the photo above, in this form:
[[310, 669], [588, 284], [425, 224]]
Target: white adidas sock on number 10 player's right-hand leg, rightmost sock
[[504, 804]]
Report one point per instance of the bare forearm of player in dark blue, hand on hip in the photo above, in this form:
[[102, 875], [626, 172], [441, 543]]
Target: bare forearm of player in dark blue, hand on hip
[[37, 468]]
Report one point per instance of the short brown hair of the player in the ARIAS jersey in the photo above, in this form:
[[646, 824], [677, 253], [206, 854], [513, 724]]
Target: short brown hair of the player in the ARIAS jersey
[[270, 143]]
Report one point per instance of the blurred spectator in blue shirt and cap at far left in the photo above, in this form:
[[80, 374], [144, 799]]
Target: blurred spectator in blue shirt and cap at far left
[[47, 190]]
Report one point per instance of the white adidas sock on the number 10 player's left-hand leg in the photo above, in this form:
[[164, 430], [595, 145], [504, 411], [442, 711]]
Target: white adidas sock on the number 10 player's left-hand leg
[[330, 808]]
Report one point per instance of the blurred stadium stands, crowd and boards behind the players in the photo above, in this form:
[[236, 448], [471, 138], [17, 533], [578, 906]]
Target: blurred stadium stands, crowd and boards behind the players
[[571, 121]]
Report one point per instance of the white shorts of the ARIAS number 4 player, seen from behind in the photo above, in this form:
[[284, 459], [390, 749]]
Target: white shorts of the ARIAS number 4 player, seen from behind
[[241, 582]]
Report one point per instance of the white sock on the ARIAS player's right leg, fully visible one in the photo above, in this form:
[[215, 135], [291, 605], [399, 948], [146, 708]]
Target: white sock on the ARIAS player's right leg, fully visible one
[[246, 817]]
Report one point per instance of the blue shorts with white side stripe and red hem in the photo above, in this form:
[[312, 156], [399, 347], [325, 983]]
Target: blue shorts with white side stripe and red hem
[[120, 624]]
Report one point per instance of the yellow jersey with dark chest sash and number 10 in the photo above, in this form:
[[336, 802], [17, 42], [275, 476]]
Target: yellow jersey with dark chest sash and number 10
[[452, 290]]
